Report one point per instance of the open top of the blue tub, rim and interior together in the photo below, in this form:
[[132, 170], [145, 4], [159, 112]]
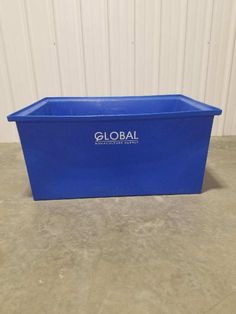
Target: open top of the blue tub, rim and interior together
[[112, 108]]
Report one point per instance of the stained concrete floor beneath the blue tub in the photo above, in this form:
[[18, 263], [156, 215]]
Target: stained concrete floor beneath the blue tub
[[141, 255]]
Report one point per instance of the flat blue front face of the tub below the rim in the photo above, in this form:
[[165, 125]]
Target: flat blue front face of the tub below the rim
[[114, 158]]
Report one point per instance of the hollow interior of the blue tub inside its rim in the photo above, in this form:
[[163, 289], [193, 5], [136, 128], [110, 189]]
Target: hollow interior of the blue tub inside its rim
[[112, 107]]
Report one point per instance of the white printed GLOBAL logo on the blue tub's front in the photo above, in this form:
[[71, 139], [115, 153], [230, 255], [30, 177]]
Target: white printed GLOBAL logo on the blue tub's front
[[116, 137]]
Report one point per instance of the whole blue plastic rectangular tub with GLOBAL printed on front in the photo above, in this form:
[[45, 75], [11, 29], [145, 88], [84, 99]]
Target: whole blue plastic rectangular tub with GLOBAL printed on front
[[114, 146]]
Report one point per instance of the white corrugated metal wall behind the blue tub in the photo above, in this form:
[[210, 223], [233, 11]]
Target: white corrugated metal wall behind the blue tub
[[117, 47]]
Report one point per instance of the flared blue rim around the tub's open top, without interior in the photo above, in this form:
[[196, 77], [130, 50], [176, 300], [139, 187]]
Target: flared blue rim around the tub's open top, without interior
[[203, 110]]
